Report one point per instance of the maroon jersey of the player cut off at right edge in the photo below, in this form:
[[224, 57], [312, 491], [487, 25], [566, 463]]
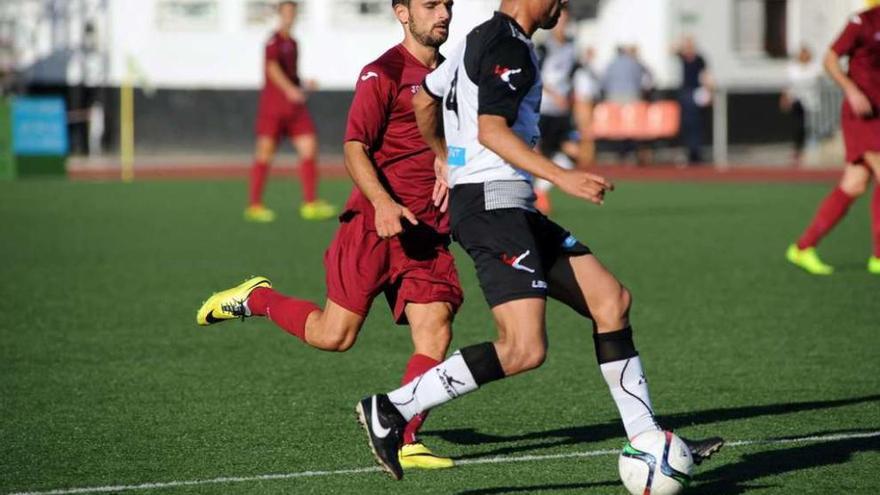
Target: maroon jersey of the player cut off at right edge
[[860, 41]]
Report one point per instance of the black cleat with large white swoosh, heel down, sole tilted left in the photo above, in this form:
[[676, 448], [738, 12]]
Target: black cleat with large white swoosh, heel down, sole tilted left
[[384, 426]]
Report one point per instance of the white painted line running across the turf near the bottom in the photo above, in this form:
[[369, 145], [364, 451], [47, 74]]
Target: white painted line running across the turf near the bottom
[[342, 472]]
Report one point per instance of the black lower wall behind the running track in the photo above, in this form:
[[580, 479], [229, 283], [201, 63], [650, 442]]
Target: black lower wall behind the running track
[[222, 121]]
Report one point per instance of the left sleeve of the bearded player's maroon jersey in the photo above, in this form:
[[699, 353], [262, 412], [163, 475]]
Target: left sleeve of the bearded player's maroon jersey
[[368, 115]]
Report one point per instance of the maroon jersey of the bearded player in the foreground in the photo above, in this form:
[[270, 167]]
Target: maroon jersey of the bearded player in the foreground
[[382, 117]]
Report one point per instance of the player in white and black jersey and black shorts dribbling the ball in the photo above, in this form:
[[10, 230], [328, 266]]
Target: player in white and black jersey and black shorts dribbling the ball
[[489, 93]]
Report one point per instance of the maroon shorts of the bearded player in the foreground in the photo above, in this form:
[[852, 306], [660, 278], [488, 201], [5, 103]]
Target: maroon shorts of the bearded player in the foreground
[[414, 267]]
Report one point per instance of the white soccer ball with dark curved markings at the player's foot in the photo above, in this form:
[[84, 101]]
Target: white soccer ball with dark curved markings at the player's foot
[[655, 463]]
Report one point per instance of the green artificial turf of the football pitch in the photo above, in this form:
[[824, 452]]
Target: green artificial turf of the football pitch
[[106, 380]]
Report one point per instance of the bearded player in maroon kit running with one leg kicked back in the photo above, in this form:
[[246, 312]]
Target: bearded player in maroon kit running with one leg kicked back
[[394, 234]]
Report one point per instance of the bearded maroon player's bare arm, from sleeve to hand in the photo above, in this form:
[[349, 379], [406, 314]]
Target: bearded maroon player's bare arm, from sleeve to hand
[[389, 214]]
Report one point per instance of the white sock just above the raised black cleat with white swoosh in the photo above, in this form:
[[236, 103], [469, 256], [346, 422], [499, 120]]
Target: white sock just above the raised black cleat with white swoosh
[[439, 385]]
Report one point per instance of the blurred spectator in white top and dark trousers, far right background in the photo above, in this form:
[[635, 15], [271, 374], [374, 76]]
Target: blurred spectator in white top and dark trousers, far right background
[[801, 98]]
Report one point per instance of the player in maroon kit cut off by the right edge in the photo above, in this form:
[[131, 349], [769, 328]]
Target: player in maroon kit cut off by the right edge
[[860, 41]]
